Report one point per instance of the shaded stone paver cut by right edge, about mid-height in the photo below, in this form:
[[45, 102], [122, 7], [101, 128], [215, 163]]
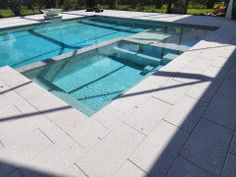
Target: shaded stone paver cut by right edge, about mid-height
[[222, 110]]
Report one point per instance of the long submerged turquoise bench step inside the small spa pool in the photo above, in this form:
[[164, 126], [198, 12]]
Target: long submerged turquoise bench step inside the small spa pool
[[135, 57]]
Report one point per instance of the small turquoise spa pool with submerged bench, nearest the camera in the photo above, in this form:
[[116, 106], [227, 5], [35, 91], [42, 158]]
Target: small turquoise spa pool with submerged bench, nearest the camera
[[91, 80]]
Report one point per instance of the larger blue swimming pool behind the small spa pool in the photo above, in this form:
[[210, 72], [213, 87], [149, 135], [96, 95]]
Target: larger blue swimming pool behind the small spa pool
[[25, 45]]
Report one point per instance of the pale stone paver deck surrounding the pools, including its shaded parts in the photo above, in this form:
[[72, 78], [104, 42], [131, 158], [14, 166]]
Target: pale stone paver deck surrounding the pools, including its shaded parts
[[178, 122]]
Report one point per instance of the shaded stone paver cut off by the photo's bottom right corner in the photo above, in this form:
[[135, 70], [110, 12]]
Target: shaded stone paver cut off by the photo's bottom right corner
[[229, 169]]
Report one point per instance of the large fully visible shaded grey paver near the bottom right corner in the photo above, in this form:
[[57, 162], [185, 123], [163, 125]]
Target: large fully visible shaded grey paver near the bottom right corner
[[207, 146]]
